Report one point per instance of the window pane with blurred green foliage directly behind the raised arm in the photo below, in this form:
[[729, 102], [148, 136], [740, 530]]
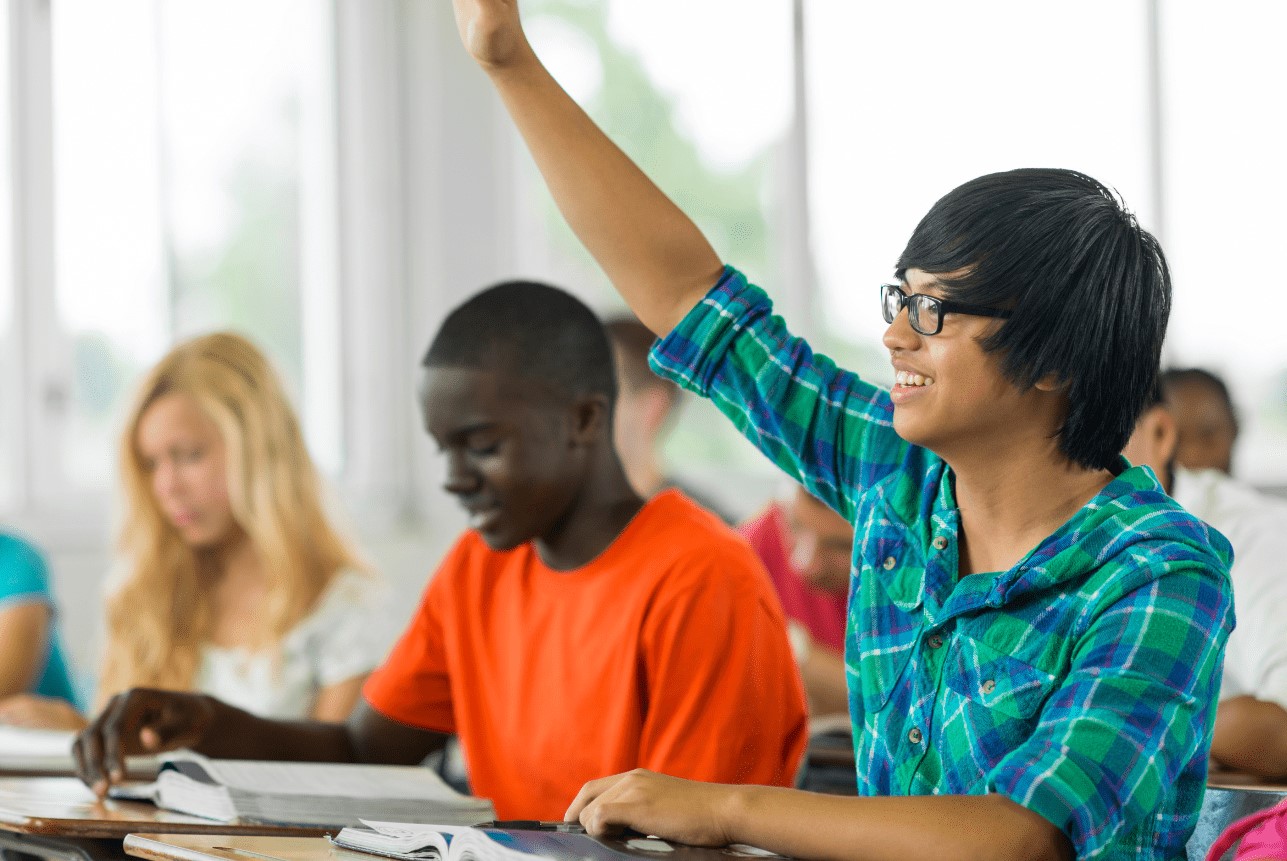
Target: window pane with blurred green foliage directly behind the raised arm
[[706, 122]]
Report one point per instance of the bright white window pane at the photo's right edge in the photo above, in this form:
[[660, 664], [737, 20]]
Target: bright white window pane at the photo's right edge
[[1227, 180]]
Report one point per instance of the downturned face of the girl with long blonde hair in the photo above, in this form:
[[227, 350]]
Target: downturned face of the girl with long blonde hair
[[182, 454]]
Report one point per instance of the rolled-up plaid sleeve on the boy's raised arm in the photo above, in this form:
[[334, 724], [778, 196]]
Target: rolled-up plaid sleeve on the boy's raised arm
[[820, 424]]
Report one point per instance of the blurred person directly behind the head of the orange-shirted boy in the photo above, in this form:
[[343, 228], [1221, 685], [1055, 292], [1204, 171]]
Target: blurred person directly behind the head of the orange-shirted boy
[[647, 407]]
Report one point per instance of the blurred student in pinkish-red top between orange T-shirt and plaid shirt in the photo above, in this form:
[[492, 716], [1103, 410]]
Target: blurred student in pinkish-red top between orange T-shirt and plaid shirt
[[808, 550]]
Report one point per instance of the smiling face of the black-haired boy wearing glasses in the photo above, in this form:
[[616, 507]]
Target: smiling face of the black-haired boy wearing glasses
[[952, 397]]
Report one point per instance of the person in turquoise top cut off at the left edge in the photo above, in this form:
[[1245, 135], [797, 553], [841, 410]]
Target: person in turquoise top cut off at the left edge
[[32, 657]]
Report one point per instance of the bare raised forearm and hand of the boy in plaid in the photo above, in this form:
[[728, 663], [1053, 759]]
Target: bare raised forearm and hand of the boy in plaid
[[654, 255]]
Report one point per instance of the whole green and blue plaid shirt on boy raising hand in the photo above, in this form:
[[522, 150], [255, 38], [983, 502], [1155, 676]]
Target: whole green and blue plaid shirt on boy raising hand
[[1079, 684]]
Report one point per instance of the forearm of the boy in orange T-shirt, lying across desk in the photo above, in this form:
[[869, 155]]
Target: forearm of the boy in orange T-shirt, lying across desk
[[235, 734]]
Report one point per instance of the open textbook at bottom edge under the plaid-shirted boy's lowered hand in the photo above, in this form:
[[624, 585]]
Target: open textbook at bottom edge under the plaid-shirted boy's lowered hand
[[527, 841]]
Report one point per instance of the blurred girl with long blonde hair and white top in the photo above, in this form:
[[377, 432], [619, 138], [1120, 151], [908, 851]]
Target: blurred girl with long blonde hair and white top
[[232, 579]]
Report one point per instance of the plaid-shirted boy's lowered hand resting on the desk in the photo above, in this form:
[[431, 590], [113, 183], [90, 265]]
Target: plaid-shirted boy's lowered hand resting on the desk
[[685, 811]]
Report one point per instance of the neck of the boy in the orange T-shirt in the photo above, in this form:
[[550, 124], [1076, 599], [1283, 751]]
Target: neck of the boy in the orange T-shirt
[[595, 519]]
